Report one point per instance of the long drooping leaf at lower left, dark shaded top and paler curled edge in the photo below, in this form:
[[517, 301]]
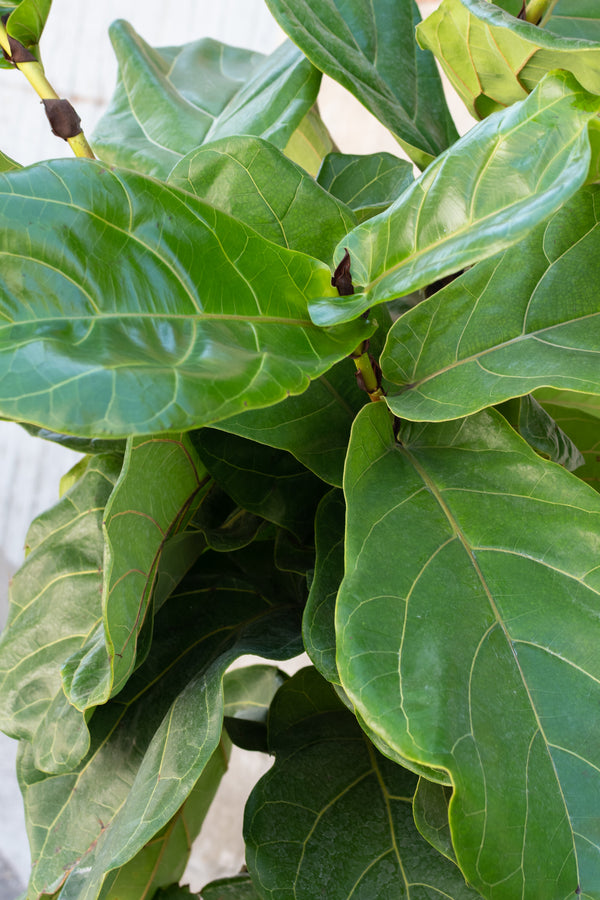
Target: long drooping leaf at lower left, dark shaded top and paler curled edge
[[150, 744]]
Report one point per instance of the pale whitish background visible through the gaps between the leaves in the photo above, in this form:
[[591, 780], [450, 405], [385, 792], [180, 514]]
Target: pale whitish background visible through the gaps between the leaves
[[80, 65]]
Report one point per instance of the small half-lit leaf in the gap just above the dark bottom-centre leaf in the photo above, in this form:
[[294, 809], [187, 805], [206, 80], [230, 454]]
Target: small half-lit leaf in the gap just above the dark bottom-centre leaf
[[248, 695]]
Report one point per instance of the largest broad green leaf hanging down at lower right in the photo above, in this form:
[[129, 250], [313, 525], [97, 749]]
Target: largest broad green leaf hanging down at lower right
[[468, 629]]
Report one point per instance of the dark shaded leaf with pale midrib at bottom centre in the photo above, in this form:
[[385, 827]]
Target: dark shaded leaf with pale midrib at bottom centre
[[333, 817]]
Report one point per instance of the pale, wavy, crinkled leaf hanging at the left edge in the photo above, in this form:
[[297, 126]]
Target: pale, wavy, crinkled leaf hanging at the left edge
[[55, 603]]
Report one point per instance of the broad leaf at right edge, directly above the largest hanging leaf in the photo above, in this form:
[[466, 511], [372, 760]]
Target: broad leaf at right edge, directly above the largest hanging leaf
[[502, 330]]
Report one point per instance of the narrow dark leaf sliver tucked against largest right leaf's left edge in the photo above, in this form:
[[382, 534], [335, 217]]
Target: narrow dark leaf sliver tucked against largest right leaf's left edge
[[318, 623]]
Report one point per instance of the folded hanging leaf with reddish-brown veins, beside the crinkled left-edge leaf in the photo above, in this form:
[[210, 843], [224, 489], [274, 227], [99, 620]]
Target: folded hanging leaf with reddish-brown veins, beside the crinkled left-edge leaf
[[158, 485]]
